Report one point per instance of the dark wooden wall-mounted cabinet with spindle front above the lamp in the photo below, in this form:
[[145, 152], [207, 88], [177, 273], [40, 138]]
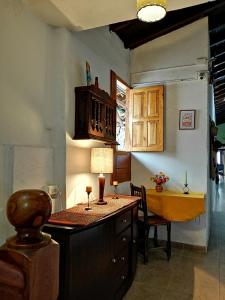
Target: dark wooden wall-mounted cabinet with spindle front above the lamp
[[95, 114]]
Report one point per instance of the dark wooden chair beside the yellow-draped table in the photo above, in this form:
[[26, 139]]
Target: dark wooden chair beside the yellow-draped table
[[146, 221]]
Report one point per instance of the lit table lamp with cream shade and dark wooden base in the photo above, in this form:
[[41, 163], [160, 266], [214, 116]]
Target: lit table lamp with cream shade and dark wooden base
[[101, 162]]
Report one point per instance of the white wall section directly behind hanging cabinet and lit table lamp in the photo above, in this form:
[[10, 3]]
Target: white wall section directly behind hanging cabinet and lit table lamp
[[104, 51]]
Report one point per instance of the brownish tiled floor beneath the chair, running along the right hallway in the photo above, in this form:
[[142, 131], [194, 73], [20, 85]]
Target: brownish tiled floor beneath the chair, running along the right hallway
[[189, 274]]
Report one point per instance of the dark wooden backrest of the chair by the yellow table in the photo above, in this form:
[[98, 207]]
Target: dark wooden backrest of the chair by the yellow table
[[140, 192]]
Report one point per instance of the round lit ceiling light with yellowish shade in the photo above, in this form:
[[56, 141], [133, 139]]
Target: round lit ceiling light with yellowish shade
[[151, 10]]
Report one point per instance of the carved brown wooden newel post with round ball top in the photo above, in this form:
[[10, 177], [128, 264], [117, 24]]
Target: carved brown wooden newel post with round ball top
[[29, 261]]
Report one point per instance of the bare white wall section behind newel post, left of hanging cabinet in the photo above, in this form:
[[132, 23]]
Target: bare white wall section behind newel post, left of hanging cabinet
[[29, 108]]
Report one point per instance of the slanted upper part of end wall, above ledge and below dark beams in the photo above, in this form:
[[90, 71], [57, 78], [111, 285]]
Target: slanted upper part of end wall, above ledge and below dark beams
[[179, 48]]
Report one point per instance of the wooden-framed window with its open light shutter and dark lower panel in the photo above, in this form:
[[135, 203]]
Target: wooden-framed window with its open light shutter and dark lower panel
[[139, 123]]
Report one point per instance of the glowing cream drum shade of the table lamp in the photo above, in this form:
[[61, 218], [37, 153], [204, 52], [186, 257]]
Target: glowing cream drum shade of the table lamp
[[102, 160]]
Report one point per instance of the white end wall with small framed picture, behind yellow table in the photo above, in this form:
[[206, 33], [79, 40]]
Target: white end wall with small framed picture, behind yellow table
[[174, 61]]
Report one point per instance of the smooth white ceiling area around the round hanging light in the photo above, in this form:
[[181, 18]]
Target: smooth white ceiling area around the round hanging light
[[86, 14]]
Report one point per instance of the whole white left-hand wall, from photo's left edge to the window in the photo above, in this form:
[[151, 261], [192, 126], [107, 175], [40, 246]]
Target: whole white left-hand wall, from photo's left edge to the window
[[40, 66]]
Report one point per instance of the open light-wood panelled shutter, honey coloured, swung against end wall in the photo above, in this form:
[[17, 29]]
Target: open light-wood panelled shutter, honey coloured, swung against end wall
[[146, 119]]
